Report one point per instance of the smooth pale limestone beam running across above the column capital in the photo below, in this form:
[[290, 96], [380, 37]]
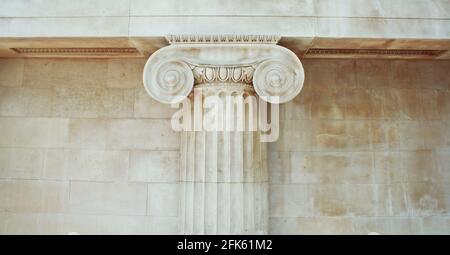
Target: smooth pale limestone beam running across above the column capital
[[304, 18]]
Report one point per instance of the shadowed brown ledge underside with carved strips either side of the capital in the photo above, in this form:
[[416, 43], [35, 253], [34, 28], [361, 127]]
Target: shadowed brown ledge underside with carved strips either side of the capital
[[303, 47]]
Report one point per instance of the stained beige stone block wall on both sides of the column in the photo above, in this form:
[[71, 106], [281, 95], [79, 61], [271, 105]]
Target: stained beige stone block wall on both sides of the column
[[364, 147]]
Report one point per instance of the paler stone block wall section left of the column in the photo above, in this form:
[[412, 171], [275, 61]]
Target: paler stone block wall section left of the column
[[84, 149]]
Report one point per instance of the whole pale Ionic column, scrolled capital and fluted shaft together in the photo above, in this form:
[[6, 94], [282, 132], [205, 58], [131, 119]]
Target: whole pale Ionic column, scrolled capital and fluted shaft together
[[223, 171]]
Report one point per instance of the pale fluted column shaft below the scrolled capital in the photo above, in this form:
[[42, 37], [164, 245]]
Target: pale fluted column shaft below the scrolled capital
[[224, 173]]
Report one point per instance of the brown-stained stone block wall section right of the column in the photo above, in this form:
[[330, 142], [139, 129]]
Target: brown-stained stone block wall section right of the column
[[364, 147]]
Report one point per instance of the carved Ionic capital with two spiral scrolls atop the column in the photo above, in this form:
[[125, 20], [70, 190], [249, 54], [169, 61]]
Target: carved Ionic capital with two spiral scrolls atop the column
[[171, 72]]
